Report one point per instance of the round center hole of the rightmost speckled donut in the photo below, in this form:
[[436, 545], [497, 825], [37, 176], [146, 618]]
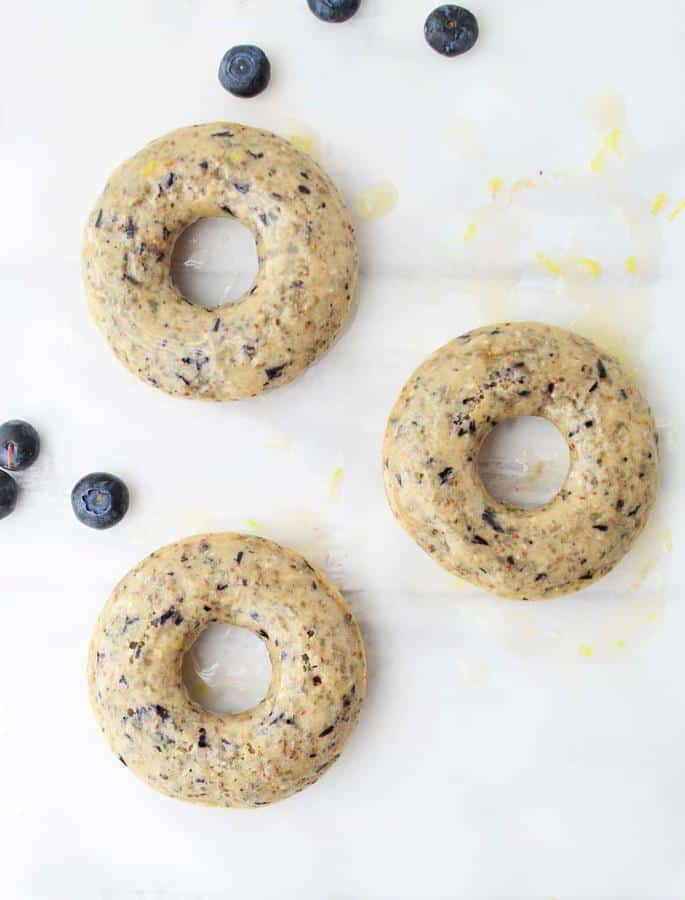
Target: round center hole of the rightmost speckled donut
[[524, 462]]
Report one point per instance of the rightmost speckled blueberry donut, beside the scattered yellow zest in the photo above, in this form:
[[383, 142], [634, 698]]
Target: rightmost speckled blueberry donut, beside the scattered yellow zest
[[441, 419]]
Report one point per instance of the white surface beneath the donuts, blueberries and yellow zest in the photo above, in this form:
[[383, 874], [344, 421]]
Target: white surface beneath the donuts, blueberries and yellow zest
[[506, 750]]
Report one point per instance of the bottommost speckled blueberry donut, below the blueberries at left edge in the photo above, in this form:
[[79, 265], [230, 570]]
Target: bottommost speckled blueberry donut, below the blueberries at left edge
[[176, 746]]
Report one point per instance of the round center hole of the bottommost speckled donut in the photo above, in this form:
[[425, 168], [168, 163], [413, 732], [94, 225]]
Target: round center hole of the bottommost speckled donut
[[227, 669]]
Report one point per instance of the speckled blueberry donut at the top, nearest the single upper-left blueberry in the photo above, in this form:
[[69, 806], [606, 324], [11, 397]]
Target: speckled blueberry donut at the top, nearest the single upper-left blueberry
[[301, 296]]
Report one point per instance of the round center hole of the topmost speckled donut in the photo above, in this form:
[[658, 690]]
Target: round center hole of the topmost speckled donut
[[214, 262]]
